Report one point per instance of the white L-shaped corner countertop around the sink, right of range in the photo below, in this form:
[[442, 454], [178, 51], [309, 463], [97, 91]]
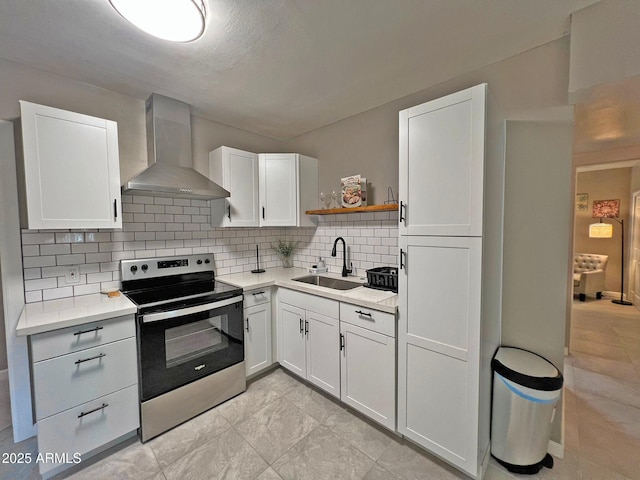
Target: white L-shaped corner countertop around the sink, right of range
[[282, 277]]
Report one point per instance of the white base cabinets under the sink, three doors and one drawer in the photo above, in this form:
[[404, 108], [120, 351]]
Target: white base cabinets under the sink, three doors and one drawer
[[346, 350]]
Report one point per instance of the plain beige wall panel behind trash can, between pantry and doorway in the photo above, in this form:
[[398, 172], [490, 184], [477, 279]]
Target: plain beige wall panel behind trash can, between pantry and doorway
[[537, 232]]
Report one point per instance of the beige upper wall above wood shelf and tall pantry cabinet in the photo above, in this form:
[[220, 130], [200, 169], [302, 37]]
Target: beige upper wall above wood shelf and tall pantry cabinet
[[531, 86]]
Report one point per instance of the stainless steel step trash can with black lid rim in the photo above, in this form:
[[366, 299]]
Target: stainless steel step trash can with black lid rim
[[526, 390]]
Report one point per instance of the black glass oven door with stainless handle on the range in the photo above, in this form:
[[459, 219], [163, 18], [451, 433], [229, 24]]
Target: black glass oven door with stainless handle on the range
[[180, 346]]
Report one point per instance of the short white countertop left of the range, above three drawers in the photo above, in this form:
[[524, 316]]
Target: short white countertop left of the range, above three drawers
[[50, 315]]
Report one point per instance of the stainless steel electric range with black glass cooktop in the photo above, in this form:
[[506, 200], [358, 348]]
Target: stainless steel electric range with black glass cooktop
[[190, 338]]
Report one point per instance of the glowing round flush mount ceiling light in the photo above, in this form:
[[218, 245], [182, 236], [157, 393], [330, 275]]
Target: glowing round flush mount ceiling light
[[174, 20]]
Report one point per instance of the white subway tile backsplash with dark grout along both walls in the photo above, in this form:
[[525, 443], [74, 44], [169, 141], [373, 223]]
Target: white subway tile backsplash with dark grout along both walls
[[159, 226]]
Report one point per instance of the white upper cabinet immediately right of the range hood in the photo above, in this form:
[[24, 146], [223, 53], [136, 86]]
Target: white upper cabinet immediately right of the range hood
[[236, 171]]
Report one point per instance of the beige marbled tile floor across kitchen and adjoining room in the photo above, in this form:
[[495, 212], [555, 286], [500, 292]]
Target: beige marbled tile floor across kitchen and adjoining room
[[283, 429]]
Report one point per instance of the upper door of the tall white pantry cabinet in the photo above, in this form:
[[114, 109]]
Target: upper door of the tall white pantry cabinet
[[442, 150]]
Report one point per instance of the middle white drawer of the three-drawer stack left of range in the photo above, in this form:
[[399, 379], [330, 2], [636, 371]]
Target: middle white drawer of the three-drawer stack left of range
[[64, 382]]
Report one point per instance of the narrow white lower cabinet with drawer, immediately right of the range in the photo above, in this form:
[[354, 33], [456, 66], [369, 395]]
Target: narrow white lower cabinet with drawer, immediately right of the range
[[257, 330]]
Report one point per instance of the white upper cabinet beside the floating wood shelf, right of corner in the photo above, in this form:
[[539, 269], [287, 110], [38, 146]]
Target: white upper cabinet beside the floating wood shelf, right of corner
[[288, 188]]
